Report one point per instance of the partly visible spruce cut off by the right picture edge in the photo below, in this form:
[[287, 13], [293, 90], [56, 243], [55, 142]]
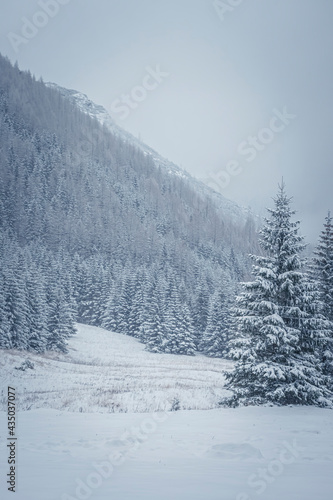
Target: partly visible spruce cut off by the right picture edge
[[322, 275]]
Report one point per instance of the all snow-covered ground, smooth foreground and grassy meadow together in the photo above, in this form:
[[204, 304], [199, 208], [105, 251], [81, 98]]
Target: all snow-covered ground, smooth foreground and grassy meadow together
[[100, 453]]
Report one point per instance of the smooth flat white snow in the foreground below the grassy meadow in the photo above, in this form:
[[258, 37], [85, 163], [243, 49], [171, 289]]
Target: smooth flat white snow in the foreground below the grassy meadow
[[236, 454]]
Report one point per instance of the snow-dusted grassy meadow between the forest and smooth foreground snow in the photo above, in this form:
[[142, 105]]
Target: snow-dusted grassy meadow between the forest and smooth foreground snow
[[110, 372]]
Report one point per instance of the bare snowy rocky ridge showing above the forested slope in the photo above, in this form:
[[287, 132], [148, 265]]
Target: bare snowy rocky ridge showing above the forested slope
[[98, 112]]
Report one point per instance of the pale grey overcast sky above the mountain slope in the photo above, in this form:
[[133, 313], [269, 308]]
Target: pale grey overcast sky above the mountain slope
[[239, 94]]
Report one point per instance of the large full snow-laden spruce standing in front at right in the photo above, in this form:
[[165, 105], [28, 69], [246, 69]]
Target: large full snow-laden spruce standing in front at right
[[280, 328]]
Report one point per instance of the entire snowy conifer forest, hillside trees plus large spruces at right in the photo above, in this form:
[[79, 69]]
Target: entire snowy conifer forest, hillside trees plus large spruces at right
[[94, 230]]
